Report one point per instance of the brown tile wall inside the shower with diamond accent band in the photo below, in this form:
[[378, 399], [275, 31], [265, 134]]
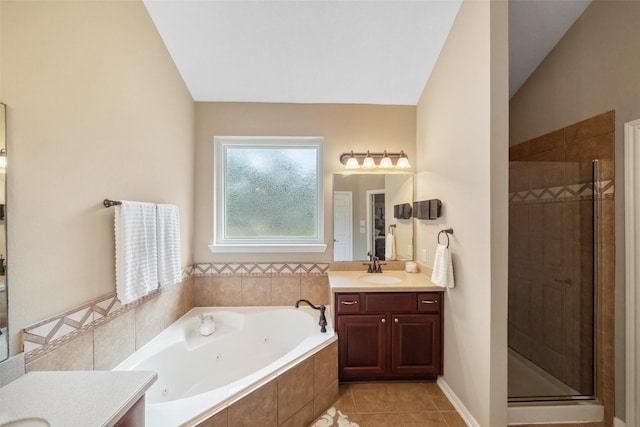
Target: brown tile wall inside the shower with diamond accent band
[[550, 252]]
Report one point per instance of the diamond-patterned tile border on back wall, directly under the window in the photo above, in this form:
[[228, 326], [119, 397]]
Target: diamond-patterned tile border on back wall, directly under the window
[[234, 269]]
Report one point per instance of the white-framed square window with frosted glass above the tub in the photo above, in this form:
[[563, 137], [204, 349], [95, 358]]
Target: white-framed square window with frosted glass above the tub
[[268, 194]]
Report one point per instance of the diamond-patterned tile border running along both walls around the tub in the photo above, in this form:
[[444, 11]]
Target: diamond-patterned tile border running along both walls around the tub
[[52, 333]]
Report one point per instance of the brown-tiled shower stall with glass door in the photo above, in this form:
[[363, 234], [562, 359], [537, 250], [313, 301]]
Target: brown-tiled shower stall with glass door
[[560, 185]]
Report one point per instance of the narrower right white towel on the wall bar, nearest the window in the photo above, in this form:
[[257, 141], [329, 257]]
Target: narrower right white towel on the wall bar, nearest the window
[[169, 268]]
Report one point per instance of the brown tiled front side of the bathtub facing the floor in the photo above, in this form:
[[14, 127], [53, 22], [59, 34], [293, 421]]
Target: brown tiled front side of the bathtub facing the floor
[[293, 399]]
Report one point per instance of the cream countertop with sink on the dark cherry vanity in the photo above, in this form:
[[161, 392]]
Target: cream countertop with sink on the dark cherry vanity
[[358, 281]]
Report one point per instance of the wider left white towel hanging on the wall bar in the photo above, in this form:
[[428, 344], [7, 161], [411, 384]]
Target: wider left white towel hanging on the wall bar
[[136, 250]]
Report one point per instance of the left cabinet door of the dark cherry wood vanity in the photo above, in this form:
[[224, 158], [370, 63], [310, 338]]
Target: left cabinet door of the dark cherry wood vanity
[[362, 345]]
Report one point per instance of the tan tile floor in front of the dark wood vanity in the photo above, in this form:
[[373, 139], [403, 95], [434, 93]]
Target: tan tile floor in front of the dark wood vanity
[[385, 404]]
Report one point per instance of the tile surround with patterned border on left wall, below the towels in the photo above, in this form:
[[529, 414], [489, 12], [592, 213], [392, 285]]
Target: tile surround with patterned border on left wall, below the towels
[[100, 334]]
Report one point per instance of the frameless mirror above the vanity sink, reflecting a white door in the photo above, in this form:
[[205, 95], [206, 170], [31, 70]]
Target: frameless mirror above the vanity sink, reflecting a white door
[[363, 216]]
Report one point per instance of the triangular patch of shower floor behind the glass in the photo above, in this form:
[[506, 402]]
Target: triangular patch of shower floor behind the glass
[[526, 379]]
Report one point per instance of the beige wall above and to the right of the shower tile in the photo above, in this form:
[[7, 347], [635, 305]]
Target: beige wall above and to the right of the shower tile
[[593, 69]]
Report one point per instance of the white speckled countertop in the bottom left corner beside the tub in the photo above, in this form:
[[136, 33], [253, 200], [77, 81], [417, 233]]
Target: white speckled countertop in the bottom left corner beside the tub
[[74, 398]]
